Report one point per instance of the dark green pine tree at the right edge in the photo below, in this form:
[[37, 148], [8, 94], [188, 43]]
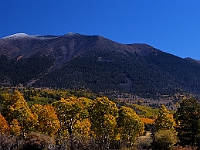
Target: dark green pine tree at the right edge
[[188, 122]]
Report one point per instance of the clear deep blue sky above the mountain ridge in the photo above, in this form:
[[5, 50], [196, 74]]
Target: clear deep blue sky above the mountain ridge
[[172, 26]]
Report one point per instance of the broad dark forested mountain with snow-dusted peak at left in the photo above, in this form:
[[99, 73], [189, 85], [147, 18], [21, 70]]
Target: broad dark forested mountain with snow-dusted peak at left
[[95, 63]]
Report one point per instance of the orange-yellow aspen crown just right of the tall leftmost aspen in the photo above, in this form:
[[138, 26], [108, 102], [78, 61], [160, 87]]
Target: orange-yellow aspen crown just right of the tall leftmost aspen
[[48, 122]]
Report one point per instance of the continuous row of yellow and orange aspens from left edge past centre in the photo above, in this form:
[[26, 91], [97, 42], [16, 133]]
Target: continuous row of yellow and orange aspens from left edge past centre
[[67, 123]]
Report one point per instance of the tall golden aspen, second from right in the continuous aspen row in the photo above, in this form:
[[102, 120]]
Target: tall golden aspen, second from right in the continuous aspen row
[[103, 116]]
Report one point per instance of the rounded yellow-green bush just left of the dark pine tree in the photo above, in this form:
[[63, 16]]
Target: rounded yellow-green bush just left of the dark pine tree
[[165, 139]]
